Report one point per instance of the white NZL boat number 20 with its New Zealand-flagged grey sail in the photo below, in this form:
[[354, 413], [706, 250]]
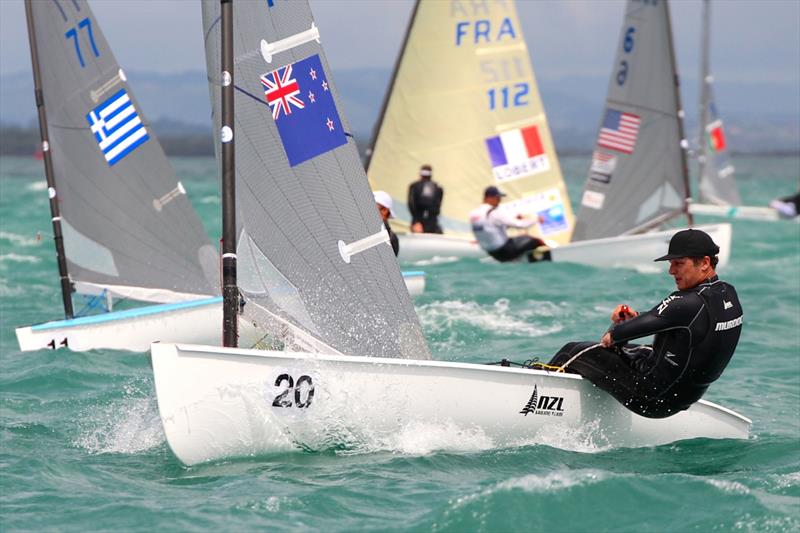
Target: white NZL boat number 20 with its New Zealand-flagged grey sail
[[318, 271]]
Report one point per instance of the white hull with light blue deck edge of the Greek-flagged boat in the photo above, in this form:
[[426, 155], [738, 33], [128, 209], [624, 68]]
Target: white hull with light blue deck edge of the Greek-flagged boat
[[195, 321]]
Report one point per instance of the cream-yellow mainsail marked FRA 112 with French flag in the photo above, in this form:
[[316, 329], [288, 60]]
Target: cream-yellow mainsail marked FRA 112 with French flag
[[464, 99]]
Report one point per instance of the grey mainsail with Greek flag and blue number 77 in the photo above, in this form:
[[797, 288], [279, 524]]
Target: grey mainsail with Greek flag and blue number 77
[[128, 226]]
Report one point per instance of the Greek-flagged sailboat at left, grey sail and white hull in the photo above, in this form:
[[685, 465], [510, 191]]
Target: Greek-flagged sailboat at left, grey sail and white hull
[[128, 228]]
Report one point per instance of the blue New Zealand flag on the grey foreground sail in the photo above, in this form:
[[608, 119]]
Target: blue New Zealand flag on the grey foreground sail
[[303, 109]]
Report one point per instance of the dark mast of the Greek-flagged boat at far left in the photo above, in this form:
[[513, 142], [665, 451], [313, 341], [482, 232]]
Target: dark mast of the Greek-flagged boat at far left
[[66, 284]]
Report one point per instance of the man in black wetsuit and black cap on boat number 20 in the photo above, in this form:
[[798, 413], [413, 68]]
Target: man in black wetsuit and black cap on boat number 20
[[696, 330]]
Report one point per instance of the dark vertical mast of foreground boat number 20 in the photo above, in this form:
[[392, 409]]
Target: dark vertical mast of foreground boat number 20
[[230, 291]]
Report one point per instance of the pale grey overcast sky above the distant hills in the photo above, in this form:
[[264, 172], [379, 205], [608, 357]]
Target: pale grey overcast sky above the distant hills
[[751, 39]]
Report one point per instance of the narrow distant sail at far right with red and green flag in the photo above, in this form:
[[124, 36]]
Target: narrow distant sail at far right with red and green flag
[[715, 171]]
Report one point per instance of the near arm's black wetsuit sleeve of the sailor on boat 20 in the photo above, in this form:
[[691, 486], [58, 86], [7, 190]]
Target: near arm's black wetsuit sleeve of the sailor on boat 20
[[676, 311]]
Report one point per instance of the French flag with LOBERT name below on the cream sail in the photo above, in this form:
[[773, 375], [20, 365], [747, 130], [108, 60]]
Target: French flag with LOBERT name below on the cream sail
[[517, 153]]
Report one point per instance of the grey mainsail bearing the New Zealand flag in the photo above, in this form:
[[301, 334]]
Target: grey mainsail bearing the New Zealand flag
[[313, 259]]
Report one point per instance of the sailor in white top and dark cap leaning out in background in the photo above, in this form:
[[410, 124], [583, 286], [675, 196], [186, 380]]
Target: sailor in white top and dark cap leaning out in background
[[489, 225]]
